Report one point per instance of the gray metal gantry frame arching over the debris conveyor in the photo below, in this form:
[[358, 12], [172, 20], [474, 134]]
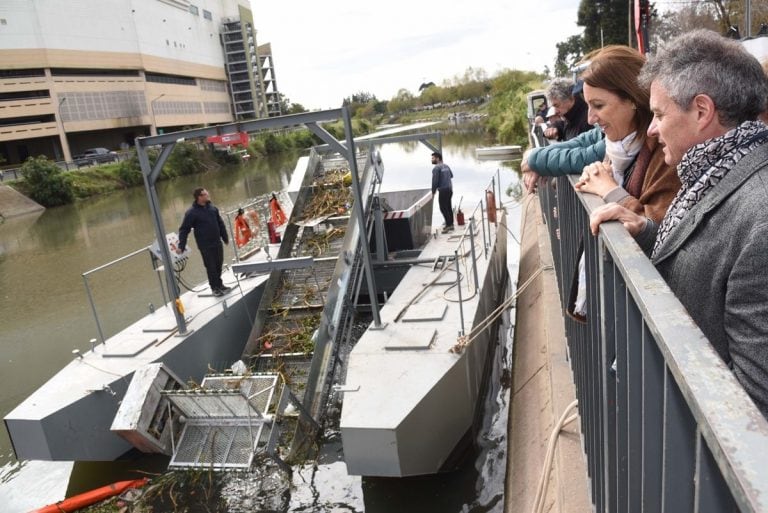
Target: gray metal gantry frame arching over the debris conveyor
[[310, 120]]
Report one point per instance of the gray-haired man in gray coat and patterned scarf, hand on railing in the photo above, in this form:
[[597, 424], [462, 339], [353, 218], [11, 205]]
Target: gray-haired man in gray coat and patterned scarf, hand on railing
[[712, 245]]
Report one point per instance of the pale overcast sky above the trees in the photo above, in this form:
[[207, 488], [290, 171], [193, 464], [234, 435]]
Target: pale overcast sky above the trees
[[326, 51]]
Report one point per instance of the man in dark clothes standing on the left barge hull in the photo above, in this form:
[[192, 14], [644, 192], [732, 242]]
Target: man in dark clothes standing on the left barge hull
[[209, 229]]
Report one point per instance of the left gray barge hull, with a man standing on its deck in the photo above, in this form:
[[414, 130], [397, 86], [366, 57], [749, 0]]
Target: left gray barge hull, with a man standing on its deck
[[69, 417]]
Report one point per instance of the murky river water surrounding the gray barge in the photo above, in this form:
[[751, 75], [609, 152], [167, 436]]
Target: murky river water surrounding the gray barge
[[45, 313]]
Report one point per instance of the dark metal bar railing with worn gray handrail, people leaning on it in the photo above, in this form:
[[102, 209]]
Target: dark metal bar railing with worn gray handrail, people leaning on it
[[666, 427]]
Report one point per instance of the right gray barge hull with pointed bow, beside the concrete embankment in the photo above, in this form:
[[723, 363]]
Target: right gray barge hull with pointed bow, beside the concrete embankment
[[409, 400]]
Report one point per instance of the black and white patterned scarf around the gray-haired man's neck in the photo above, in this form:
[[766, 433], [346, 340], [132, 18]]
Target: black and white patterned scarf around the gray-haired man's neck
[[702, 168]]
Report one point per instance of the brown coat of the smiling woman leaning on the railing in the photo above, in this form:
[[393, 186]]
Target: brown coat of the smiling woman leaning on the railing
[[652, 185]]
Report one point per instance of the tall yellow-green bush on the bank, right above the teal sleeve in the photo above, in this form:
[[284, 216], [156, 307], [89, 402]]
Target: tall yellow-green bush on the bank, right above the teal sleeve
[[507, 112]]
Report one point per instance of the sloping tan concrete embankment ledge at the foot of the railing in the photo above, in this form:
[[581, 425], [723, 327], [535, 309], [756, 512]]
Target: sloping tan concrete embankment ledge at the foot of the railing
[[542, 386]]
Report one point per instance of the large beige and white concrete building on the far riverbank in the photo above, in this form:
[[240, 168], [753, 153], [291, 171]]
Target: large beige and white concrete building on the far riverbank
[[99, 73]]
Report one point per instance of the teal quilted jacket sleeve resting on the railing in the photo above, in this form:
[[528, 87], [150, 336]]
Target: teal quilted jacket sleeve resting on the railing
[[569, 157]]
